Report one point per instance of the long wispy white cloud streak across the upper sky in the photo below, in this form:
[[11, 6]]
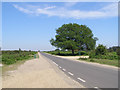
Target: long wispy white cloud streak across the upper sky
[[110, 10]]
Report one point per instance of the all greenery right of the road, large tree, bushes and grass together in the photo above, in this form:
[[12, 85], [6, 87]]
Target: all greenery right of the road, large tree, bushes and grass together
[[76, 40]]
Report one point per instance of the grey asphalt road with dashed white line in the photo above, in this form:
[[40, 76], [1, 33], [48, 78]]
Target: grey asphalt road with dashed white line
[[90, 76]]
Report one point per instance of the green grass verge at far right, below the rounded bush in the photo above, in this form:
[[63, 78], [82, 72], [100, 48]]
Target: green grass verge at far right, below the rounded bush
[[111, 58]]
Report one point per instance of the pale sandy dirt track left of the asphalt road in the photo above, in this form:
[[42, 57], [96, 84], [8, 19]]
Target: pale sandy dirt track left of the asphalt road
[[38, 73]]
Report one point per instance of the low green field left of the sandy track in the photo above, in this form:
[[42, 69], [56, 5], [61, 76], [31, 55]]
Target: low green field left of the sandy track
[[11, 57]]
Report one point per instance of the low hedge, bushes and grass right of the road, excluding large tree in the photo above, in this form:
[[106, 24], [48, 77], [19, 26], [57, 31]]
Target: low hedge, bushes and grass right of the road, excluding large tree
[[104, 56]]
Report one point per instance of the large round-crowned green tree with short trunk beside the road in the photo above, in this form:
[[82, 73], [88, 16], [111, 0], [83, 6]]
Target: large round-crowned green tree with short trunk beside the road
[[74, 36]]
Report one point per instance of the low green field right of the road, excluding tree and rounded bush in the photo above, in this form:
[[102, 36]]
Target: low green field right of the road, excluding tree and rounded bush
[[111, 58]]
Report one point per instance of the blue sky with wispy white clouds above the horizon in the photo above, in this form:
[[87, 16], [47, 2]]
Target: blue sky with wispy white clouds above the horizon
[[31, 25]]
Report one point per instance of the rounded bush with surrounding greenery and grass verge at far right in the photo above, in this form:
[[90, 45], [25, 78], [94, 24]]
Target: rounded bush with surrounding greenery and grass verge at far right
[[103, 56]]
